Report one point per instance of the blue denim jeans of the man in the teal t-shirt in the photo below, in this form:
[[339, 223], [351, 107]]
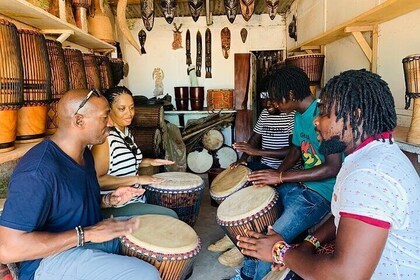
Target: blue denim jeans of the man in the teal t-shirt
[[301, 208]]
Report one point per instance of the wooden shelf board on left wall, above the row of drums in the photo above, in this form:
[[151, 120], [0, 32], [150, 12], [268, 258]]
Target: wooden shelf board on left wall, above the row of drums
[[27, 13]]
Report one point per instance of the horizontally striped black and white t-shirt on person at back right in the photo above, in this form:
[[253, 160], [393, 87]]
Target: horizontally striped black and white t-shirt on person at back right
[[275, 131]]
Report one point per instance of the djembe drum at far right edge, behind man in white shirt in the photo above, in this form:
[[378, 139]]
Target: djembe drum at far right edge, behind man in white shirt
[[411, 65]]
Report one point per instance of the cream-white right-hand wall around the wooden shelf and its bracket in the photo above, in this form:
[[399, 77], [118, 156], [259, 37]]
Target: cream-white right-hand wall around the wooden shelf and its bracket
[[397, 39]]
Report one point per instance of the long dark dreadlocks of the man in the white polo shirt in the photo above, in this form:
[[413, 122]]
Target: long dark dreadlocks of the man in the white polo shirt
[[364, 90]]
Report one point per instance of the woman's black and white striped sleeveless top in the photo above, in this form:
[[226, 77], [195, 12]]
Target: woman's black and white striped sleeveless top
[[122, 161]]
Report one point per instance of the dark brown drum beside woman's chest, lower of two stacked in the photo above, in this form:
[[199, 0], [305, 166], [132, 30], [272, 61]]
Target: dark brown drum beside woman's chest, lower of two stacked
[[149, 141]]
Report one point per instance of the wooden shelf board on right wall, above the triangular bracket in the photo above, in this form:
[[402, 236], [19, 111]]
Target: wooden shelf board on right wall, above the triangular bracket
[[379, 14]]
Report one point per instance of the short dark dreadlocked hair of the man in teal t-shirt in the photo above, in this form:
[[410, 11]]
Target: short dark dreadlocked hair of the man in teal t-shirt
[[288, 79]]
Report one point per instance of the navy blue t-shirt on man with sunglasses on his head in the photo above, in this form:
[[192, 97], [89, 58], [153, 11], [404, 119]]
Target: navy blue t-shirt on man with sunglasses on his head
[[50, 192]]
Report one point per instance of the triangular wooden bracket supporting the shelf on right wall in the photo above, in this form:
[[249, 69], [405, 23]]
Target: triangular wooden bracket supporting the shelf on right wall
[[370, 51]]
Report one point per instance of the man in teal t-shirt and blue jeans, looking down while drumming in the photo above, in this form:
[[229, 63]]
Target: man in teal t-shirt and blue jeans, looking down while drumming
[[304, 195]]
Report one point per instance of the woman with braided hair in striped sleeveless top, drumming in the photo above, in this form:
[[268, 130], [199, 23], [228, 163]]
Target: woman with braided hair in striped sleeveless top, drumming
[[117, 160]]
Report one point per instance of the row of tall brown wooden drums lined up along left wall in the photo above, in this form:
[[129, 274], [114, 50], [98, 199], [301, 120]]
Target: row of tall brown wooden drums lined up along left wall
[[35, 73]]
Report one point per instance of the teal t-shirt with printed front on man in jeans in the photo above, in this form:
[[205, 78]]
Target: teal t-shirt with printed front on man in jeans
[[305, 137]]
